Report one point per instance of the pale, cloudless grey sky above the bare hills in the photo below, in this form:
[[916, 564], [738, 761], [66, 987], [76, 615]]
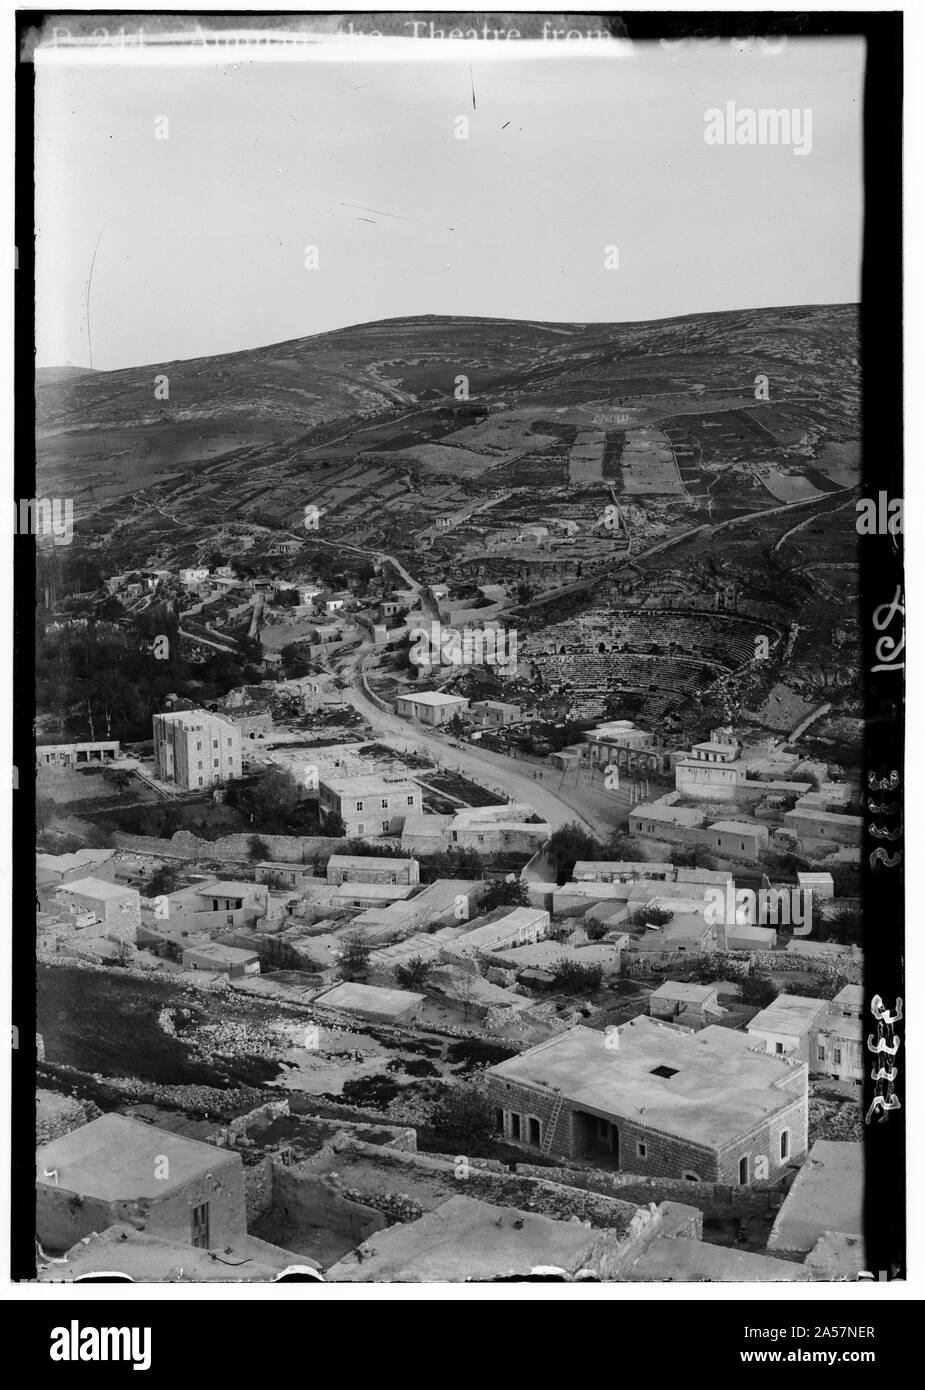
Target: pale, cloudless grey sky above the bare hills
[[202, 236]]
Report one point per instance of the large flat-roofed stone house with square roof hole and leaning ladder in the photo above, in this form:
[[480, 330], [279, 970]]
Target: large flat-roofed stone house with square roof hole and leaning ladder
[[657, 1100]]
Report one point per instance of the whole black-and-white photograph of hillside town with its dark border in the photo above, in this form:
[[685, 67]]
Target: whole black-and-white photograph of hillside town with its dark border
[[461, 653]]
